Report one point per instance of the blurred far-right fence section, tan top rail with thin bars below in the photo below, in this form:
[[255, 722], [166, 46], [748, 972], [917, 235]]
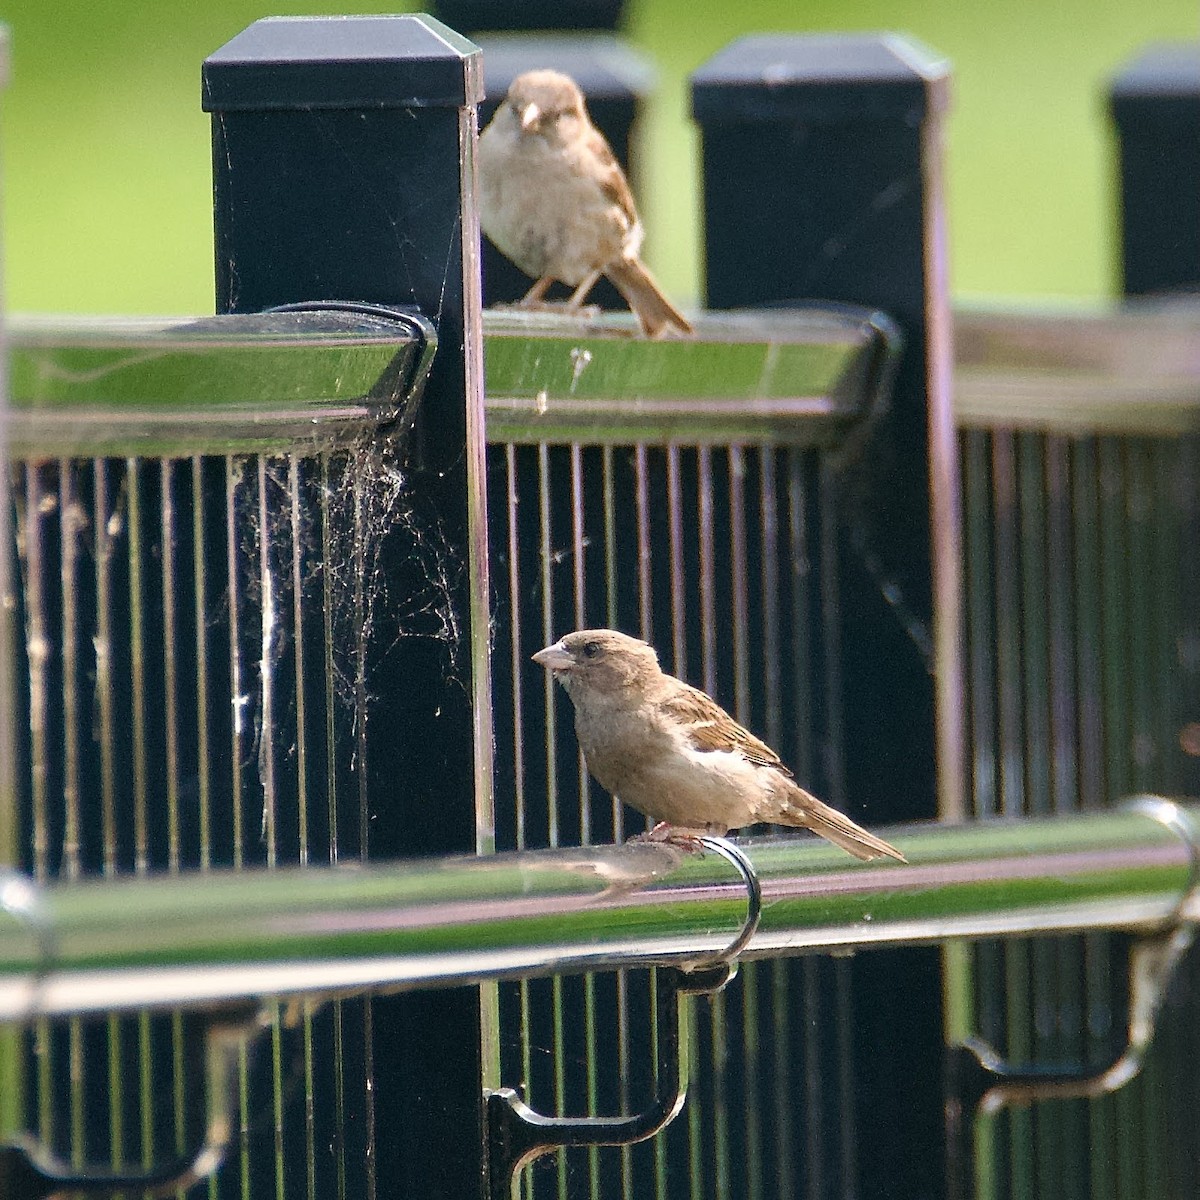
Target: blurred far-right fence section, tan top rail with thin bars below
[[1081, 477]]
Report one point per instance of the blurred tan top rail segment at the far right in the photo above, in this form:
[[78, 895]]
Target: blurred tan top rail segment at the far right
[[1132, 369]]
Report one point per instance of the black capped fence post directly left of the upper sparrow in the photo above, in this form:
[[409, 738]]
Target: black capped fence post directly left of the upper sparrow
[[344, 171]]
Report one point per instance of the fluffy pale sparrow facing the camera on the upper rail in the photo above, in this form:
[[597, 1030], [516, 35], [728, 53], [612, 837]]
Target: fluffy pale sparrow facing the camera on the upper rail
[[555, 201]]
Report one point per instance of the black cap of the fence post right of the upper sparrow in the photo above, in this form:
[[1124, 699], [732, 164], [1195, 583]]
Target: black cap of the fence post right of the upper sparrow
[[821, 79]]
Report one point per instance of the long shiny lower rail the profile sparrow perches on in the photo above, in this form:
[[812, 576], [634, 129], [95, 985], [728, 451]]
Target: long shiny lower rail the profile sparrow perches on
[[214, 938]]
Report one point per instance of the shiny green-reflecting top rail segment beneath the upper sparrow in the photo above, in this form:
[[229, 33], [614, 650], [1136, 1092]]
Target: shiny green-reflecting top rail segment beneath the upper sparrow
[[790, 376]]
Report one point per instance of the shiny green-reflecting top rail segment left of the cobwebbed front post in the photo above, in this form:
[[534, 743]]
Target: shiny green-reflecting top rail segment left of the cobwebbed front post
[[230, 385]]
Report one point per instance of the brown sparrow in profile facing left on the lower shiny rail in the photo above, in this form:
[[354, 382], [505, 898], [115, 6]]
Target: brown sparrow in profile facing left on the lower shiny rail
[[673, 753]]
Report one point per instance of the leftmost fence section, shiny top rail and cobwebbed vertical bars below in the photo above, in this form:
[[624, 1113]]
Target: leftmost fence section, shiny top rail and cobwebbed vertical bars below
[[199, 511]]
